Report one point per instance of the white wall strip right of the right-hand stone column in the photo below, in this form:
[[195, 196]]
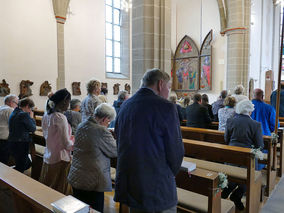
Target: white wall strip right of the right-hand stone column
[[261, 43]]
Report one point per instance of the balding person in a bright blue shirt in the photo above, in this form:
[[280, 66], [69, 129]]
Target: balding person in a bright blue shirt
[[263, 113]]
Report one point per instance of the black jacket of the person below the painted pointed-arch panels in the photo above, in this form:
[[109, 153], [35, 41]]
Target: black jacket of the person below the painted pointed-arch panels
[[197, 116]]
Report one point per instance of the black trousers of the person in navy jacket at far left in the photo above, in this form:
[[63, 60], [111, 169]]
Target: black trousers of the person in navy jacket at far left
[[20, 151]]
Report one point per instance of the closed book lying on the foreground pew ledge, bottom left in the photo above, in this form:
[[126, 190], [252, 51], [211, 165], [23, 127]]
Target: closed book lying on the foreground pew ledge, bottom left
[[70, 204]]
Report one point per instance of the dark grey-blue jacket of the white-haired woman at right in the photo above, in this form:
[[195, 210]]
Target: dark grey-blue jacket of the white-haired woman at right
[[242, 131]]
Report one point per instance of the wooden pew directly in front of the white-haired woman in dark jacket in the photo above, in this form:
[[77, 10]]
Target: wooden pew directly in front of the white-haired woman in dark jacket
[[215, 136]]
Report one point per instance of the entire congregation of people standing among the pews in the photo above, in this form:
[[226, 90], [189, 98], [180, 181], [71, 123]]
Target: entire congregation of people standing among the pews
[[147, 140]]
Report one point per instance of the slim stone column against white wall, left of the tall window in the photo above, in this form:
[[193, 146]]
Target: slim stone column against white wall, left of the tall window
[[60, 10]]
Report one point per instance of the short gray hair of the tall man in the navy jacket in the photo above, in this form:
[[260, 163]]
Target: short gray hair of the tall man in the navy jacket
[[152, 76]]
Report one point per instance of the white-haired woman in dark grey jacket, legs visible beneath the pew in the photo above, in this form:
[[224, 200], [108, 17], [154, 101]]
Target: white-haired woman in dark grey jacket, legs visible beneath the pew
[[242, 131]]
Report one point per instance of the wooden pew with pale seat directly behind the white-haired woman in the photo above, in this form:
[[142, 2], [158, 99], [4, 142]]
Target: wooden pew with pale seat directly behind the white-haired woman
[[230, 154]]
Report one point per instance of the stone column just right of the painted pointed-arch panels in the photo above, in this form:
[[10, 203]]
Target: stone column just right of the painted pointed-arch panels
[[238, 33]]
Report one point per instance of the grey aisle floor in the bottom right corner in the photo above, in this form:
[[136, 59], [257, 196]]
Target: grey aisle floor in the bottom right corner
[[275, 204]]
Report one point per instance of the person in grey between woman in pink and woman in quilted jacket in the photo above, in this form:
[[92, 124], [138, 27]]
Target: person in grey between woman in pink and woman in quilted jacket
[[73, 115]]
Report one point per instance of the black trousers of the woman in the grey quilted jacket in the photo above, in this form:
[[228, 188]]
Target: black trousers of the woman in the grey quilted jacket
[[93, 198]]
